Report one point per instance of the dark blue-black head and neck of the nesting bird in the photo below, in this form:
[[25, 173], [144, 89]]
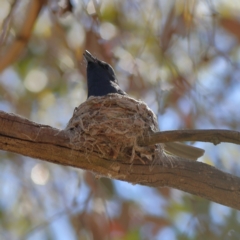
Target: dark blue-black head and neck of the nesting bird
[[101, 78]]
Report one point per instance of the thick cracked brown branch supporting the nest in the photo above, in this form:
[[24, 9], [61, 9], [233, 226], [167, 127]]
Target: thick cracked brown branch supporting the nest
[[22, 136]]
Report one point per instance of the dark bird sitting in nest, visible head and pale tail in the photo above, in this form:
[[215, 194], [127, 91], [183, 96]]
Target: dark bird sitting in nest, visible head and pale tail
[[102, 80]]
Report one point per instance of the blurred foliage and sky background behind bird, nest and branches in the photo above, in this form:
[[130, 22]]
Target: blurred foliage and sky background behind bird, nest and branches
[[181, 57]]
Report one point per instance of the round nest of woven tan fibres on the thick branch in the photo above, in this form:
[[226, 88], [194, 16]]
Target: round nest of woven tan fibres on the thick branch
[[111, 126]]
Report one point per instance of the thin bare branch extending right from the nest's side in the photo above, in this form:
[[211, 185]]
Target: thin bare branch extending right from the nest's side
[[214, 136]]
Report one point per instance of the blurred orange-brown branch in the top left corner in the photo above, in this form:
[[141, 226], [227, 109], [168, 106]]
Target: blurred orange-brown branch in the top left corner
[[13, 51]]
